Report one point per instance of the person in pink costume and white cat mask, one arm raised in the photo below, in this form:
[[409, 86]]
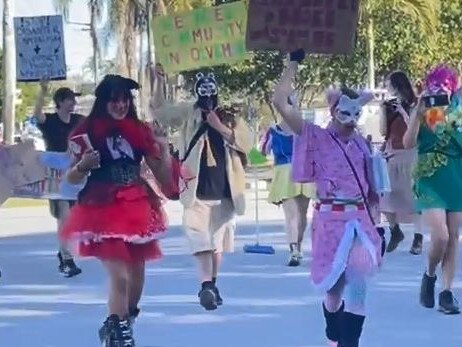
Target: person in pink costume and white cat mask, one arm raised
[[346, 245]]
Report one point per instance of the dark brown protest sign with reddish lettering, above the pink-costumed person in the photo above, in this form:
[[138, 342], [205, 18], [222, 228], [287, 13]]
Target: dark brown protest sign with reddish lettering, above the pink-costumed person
[[318, 26]]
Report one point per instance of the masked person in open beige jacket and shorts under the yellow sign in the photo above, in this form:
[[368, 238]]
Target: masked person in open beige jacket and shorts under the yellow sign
[[213, 146]]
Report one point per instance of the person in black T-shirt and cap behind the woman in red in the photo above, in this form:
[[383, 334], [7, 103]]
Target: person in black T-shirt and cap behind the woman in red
[[55, 128]]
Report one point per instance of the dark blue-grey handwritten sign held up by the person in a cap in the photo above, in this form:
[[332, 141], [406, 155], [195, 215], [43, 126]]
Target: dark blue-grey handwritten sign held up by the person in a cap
[[39, 48]]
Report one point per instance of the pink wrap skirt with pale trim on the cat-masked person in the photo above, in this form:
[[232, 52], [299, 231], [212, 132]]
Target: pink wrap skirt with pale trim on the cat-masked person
[[343, 239]]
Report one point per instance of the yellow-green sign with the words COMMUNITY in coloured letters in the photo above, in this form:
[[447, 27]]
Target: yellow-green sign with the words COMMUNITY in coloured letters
[[203, 37]]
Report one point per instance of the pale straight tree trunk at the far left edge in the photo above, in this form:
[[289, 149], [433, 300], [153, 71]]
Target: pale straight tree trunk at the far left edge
[[9, 73]]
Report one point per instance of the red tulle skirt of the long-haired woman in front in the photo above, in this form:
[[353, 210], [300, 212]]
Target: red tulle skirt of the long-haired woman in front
[[126, 229]]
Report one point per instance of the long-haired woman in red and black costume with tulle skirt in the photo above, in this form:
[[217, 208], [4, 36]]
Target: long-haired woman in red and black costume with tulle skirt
[[118, 218]]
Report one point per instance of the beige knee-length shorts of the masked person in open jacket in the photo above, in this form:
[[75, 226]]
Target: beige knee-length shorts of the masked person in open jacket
[[210, 226]]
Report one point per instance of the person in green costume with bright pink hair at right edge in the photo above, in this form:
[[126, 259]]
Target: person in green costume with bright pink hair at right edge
[[437, 133]]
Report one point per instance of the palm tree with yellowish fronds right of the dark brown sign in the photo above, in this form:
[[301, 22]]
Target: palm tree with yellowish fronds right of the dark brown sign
[[423, 12]]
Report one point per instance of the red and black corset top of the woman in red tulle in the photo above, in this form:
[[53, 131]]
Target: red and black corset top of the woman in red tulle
[[122, 145]]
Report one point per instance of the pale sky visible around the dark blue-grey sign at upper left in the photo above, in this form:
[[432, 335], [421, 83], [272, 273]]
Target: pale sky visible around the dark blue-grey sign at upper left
[[78, 42]]
